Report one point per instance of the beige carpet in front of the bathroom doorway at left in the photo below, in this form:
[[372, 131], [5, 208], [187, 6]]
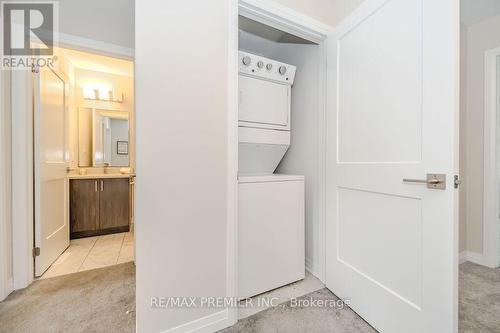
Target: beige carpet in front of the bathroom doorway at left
[[93, 301]]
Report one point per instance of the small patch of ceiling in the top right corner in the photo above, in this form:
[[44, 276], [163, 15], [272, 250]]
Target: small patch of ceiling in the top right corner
[[475, 11]]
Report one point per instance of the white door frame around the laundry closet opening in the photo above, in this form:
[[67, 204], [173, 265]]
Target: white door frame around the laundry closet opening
[[285, 19]]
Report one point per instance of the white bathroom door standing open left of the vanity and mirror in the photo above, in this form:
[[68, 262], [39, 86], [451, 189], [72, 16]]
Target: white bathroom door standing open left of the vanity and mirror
[[50, 164]]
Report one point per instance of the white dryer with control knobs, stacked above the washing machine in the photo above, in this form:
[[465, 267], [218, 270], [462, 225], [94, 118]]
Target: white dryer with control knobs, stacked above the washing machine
[[264, 112]]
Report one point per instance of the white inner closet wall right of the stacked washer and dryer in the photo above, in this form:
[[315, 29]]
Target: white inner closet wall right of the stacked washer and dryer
[[303, 156]]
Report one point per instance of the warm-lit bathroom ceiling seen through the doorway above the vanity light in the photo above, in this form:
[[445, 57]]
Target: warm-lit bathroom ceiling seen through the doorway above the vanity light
[[98, 63]]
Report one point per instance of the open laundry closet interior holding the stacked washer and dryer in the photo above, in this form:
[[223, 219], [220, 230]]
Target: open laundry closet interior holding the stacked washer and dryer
[[279, 161]]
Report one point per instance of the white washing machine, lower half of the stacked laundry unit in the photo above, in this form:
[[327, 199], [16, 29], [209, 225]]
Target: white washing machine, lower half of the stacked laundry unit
[[271, 249]]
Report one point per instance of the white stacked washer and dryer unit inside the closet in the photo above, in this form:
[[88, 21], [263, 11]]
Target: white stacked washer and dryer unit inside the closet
[[271, 250]]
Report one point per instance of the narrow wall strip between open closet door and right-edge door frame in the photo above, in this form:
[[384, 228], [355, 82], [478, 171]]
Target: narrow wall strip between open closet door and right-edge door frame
[[480, 37]]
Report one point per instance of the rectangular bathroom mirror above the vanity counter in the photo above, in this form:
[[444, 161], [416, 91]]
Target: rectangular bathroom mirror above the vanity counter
[[103, 138]]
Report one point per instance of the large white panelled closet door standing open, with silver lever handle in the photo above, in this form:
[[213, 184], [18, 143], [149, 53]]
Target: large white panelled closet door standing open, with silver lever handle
[[393, 114]]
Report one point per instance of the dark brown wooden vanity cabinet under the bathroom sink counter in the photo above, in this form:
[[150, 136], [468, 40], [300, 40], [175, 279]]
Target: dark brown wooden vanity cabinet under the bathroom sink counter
[[99, 206]]
